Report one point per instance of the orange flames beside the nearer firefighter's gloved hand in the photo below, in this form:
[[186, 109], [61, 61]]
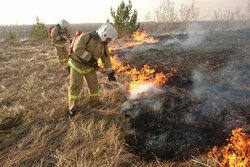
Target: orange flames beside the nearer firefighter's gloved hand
[[142, 76]]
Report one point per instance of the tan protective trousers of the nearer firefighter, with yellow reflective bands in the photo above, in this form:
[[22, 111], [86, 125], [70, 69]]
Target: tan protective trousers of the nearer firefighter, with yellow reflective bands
[[76, 83]]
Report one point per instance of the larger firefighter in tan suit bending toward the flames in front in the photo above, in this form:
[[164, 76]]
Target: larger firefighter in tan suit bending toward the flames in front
[[86, 50]]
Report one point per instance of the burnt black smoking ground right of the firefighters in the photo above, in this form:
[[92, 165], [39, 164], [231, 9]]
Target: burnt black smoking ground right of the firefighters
[[201, 104]]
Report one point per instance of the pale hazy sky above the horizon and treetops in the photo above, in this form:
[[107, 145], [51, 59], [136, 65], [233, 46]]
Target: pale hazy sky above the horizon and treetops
[[19, 12]]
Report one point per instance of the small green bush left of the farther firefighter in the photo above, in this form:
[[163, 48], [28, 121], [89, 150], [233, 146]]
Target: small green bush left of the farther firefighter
[[39, 30]]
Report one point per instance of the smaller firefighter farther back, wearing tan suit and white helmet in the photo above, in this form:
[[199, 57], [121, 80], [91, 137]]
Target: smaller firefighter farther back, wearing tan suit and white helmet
[[59, 36]]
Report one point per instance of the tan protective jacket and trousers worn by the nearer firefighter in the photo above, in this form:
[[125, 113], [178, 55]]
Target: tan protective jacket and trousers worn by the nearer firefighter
[[86, 46]]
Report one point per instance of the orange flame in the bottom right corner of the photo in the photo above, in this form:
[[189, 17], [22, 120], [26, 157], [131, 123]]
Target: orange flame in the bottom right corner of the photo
[[236, 153]]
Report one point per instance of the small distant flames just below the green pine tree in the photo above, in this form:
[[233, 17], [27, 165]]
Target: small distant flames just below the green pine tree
[[141, 37]]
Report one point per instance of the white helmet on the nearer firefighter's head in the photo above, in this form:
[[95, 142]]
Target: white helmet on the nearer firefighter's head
[[107, 31]]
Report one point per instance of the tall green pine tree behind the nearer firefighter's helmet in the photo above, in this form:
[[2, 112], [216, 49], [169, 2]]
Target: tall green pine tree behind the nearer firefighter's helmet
[[124, 19]]
